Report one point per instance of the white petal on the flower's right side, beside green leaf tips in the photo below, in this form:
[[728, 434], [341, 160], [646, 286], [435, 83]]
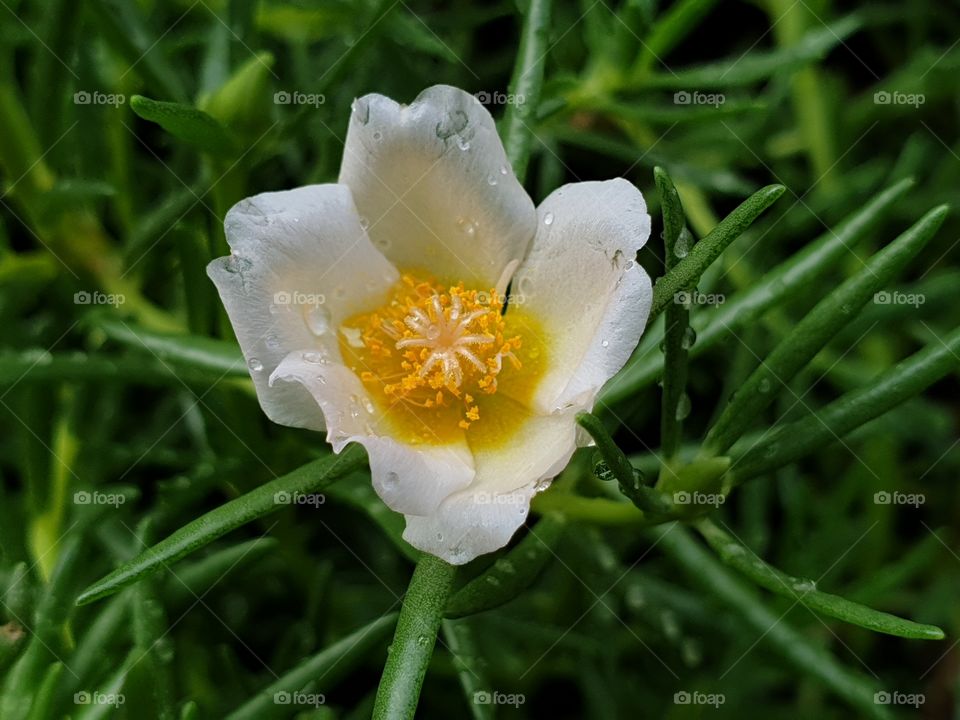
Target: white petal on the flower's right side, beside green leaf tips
[[582, 282]]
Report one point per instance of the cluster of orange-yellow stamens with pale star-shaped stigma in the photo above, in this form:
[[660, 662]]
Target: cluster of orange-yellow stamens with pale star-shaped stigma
[[432, 345]]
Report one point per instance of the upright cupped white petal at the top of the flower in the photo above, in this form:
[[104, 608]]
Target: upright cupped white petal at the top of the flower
[[434, 183]]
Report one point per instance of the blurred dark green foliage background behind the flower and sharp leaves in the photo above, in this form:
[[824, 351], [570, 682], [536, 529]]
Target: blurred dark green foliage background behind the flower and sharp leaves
[[118, 374]]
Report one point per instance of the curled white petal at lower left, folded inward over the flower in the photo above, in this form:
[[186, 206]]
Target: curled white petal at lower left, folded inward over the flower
[[412, 479]]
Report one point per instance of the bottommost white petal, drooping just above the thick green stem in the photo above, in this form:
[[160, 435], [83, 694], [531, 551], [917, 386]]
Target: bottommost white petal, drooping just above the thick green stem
[[485, 516]]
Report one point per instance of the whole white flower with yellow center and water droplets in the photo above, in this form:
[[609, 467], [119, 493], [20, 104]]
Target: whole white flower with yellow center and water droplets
[[423, 307]]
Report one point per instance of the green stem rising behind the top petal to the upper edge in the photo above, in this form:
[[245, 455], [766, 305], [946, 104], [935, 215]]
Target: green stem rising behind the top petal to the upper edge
[[525, 86]]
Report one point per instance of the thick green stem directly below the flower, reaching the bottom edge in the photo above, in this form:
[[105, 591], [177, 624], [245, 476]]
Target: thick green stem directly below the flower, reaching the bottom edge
[[414, 639]]
